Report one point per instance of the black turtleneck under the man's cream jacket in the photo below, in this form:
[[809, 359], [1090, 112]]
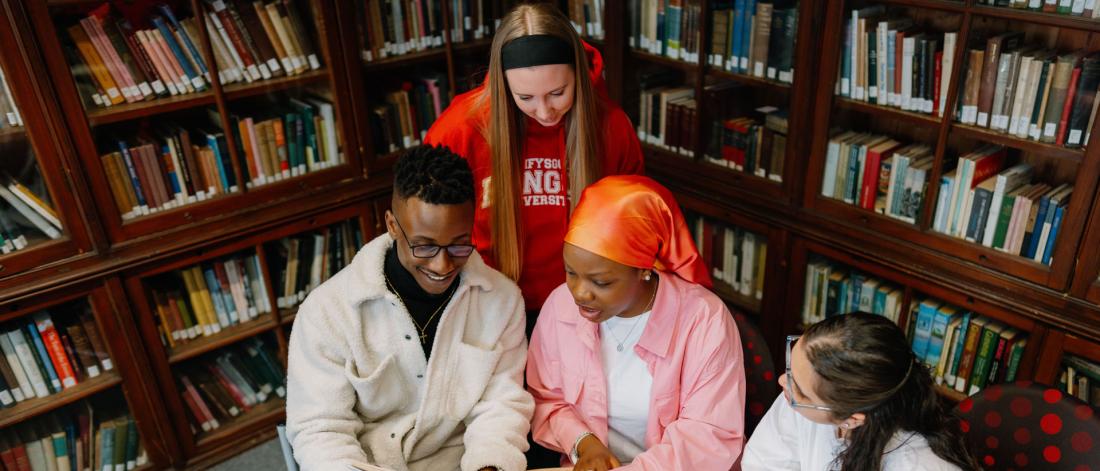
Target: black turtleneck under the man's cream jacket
[[420, 303]]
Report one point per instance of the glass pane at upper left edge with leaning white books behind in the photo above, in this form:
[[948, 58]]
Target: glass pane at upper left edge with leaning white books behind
[[28, 216]]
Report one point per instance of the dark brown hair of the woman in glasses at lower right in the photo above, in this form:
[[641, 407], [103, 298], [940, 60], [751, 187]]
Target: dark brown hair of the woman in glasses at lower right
[[866, 366]]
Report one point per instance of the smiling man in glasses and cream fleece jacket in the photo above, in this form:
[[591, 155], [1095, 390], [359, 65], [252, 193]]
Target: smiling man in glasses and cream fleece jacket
[[412, 357]]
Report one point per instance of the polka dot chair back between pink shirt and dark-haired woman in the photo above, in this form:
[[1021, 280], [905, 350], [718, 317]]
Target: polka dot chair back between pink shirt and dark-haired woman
[[761, 388]]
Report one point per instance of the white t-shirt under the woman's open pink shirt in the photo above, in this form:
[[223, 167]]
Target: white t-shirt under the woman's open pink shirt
[[629, 386]]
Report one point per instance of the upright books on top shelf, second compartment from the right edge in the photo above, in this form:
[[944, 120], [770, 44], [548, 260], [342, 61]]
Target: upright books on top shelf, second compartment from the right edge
[[894, 62]]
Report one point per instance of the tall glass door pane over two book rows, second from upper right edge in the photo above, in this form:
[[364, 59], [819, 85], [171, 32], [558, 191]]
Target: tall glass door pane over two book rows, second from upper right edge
[[895, 68]]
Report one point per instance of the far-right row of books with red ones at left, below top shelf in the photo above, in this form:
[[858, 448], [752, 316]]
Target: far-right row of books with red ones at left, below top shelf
[[986, 202]]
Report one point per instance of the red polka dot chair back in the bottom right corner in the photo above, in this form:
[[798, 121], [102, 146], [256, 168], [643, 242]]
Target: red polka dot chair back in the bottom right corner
[[1029, 426]]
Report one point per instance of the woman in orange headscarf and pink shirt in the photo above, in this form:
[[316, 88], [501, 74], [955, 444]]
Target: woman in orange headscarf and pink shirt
[[634, 363]]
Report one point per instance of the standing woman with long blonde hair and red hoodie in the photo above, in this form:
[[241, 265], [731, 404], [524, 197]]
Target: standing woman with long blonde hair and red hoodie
[[536, 133]]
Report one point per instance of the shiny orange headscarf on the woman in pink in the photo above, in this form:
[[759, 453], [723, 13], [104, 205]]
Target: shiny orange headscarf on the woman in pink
[[633, 221]]
